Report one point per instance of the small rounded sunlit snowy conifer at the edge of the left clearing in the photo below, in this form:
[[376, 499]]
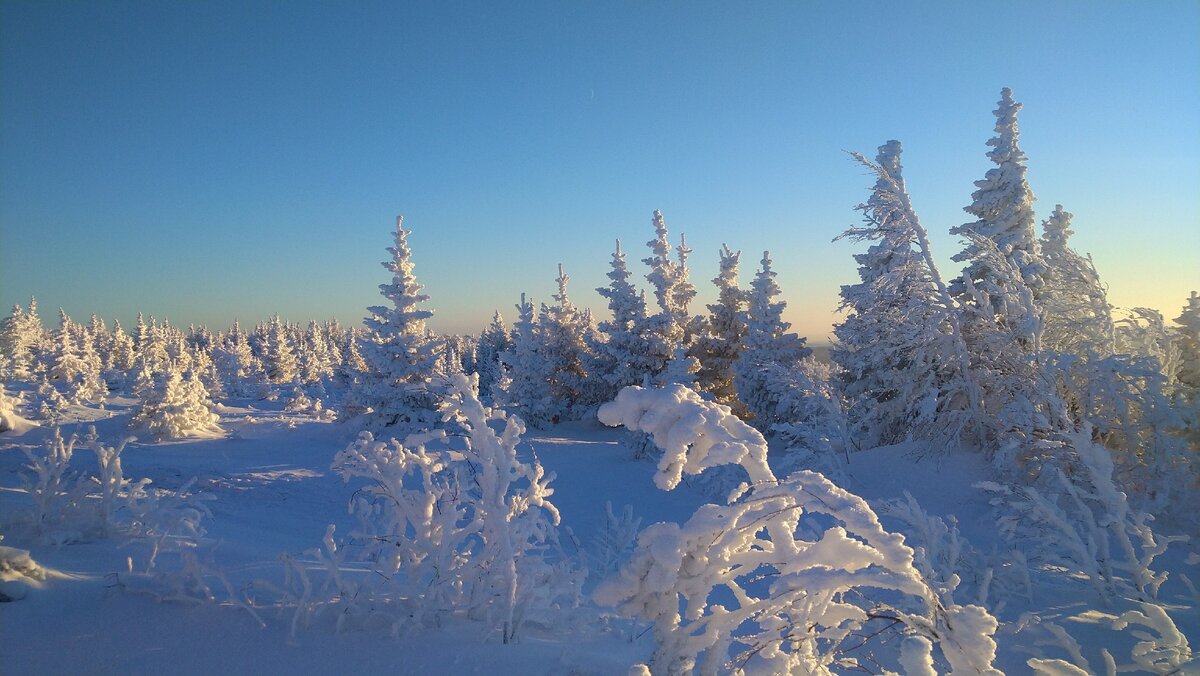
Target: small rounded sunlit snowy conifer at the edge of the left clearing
[[177, 408]]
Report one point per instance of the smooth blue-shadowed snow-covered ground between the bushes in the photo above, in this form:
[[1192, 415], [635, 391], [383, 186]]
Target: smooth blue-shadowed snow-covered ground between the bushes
[[275, 494]]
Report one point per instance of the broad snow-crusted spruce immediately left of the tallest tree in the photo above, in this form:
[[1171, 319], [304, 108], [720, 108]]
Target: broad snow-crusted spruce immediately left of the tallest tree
[[903, 362]]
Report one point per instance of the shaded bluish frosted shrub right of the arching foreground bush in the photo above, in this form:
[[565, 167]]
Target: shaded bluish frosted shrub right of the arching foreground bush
[[1075, 516]]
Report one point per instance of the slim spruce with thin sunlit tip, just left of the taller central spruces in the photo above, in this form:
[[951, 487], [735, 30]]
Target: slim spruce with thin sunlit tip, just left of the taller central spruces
[[566, 349]]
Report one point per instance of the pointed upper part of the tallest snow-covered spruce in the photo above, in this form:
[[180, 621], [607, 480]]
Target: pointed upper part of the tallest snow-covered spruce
[[1004, 208]]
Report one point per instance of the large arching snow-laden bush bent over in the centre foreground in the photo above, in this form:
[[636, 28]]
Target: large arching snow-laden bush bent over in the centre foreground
[[740, 589]]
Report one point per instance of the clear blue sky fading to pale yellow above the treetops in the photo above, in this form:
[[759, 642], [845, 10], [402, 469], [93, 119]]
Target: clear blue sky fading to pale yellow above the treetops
[[211, 161]]
